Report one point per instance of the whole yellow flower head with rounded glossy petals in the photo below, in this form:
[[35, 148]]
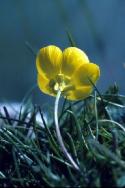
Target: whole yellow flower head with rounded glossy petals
[[69, 71]]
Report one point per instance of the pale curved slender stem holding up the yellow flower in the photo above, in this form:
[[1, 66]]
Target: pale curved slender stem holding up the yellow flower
[[59, 137]]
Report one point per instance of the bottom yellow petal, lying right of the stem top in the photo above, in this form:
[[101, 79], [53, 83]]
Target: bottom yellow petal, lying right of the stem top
[[79, 93]]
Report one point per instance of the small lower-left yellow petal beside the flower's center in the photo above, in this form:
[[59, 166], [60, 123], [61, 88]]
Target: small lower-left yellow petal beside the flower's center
[[43, 84]]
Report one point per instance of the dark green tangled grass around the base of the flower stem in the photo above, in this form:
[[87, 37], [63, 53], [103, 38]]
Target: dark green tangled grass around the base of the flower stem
[[93, 132]]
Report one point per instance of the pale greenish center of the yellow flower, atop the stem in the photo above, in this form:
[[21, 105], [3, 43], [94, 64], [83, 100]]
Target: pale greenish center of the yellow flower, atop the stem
[[60, 82]]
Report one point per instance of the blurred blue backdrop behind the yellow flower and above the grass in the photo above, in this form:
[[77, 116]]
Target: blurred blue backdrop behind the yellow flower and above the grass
[[97, 27]]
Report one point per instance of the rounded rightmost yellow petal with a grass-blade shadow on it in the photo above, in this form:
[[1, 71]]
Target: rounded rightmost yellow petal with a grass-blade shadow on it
[[85, 73]]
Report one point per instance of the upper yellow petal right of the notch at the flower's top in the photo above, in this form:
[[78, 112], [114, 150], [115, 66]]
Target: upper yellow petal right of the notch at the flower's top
[[72, 58]]
